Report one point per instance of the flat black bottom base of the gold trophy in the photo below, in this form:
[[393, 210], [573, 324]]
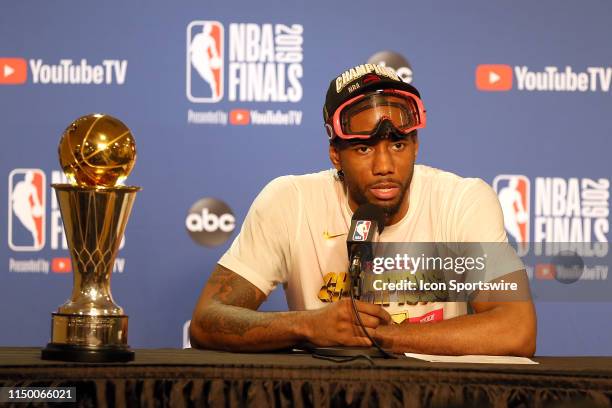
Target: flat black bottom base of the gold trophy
[[81, 354]]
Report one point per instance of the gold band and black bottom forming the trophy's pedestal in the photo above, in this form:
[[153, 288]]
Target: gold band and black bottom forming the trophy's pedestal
[[86, 338]]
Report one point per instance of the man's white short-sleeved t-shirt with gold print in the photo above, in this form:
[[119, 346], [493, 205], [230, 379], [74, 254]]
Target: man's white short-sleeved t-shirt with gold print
[[295, 233]]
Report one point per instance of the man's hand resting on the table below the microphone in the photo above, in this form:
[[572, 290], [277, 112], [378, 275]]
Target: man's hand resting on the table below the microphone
[[336, 324]]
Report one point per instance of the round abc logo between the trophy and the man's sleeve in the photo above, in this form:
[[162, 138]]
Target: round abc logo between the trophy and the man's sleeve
[[210, 222]]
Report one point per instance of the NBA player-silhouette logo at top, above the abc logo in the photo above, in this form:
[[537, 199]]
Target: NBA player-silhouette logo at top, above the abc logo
[[205, 61]]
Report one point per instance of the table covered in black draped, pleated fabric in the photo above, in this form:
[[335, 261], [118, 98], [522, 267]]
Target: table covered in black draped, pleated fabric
[[195, 378]]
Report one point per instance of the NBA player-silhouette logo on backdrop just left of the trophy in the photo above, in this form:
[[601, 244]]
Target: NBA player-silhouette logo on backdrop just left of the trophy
[[26, 215]]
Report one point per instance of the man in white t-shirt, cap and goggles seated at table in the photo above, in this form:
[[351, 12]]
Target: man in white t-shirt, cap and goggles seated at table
[[296, 229]]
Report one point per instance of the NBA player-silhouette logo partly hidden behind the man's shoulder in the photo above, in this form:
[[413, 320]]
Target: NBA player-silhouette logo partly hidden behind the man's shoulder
[[513, 193]]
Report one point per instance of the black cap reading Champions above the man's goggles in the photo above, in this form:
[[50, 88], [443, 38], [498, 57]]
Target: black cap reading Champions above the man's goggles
[[361, 79]]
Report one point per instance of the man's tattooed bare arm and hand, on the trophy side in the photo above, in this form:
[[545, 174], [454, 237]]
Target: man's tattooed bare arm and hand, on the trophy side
[[226, 318]]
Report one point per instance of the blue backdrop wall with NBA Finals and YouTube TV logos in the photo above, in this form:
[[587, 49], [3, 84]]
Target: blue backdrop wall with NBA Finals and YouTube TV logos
[[516, 119]]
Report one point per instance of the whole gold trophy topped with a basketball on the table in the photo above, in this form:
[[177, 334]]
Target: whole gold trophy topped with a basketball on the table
[[97, 152]]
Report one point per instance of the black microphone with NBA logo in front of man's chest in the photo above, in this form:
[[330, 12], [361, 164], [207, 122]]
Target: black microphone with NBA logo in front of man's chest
[[367, 224]]
